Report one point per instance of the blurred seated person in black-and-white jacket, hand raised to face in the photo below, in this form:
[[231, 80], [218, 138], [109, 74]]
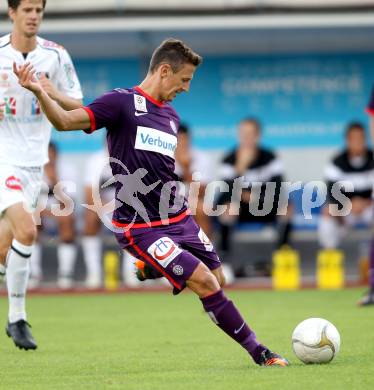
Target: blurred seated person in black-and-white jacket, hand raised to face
[[257, 166]]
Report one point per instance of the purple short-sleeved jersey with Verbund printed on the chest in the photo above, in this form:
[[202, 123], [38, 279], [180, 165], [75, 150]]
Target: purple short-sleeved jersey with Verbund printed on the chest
[[142, 137]]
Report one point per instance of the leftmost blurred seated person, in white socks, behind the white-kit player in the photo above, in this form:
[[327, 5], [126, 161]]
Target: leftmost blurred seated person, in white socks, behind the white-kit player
[[54, 172]]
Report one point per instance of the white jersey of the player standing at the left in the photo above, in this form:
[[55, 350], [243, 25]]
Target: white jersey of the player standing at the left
[[25, 131]]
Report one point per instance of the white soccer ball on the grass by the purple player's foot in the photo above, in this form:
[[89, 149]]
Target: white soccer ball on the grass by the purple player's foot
[[315, 340]]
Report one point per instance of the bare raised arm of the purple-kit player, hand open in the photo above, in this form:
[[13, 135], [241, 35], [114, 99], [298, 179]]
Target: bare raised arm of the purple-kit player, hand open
[[61, 119]]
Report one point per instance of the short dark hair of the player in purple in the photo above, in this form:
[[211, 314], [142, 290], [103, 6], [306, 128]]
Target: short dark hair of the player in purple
[[175, 53]]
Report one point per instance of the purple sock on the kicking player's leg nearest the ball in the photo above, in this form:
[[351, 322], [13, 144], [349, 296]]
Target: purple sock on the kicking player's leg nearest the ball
[[224, 314]]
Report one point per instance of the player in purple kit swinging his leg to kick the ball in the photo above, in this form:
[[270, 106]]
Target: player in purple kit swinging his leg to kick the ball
[[141, 133]]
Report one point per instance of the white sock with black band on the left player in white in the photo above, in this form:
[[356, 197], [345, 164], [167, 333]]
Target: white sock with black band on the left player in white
[[18, 265]]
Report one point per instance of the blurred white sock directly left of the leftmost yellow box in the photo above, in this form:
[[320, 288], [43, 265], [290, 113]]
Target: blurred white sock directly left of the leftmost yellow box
[[92, 248]]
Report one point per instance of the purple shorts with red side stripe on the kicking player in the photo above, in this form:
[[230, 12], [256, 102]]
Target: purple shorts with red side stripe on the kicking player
[[175, 250]]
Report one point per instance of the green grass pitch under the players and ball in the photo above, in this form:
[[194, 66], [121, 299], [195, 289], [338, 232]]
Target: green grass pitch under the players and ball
[[154, 341]]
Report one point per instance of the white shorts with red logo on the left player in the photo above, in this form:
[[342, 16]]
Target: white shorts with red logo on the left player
[[20, 185]]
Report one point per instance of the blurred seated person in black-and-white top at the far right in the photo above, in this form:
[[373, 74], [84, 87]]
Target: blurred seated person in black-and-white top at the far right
[[353, 164]]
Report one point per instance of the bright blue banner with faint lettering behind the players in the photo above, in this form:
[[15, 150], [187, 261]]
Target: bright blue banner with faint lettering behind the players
[[301, 100]]
